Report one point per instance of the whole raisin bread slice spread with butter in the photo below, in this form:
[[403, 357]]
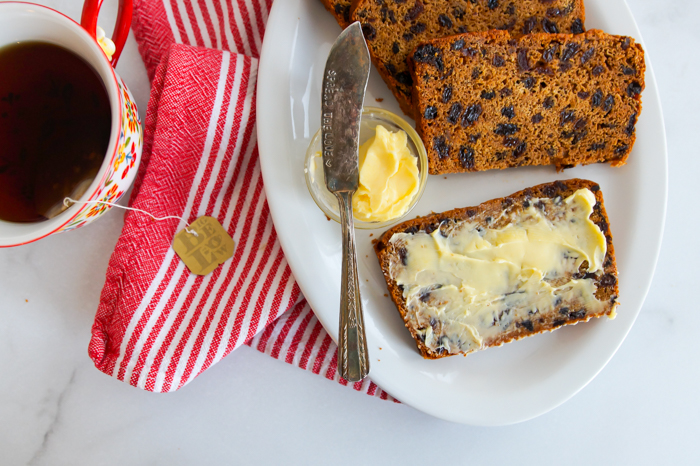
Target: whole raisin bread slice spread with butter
[[456, 297]]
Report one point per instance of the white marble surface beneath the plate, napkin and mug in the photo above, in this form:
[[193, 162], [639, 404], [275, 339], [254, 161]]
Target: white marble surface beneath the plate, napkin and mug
[[57, 409]]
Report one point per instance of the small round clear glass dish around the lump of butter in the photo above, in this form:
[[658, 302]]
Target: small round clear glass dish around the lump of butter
[[371, 117]]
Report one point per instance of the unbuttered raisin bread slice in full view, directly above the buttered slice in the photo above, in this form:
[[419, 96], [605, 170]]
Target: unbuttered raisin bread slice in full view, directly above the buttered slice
[[485, 100]]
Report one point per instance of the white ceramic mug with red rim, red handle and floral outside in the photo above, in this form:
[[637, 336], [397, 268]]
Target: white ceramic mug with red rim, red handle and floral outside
[[30, 22]]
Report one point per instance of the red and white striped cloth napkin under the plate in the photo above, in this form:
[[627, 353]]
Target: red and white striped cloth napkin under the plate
[[158, 326]]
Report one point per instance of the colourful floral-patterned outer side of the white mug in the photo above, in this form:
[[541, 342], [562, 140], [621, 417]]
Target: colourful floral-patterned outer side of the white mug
[[122, 166]]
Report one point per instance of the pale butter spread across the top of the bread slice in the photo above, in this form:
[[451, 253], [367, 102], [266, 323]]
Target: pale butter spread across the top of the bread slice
[[475, 282]]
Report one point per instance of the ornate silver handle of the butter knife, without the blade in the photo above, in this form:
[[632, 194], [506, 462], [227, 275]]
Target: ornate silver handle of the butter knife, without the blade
[[353, 363]]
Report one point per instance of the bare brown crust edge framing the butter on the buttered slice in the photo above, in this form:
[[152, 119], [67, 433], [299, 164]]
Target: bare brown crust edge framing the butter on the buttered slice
[[606, 281]]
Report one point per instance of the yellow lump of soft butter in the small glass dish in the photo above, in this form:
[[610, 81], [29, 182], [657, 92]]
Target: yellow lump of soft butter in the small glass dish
[[388, 177]]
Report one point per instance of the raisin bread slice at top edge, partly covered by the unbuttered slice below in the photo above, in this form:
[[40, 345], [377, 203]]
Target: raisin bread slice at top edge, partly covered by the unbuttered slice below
[[393, 28]]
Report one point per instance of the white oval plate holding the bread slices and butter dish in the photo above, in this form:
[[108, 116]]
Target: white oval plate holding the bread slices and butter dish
[[503, 385]]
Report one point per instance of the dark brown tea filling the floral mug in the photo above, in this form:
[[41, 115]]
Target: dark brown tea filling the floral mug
[[55, 123]]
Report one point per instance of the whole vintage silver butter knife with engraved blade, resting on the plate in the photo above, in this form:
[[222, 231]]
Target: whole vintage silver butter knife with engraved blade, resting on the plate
[[344, 85]]
